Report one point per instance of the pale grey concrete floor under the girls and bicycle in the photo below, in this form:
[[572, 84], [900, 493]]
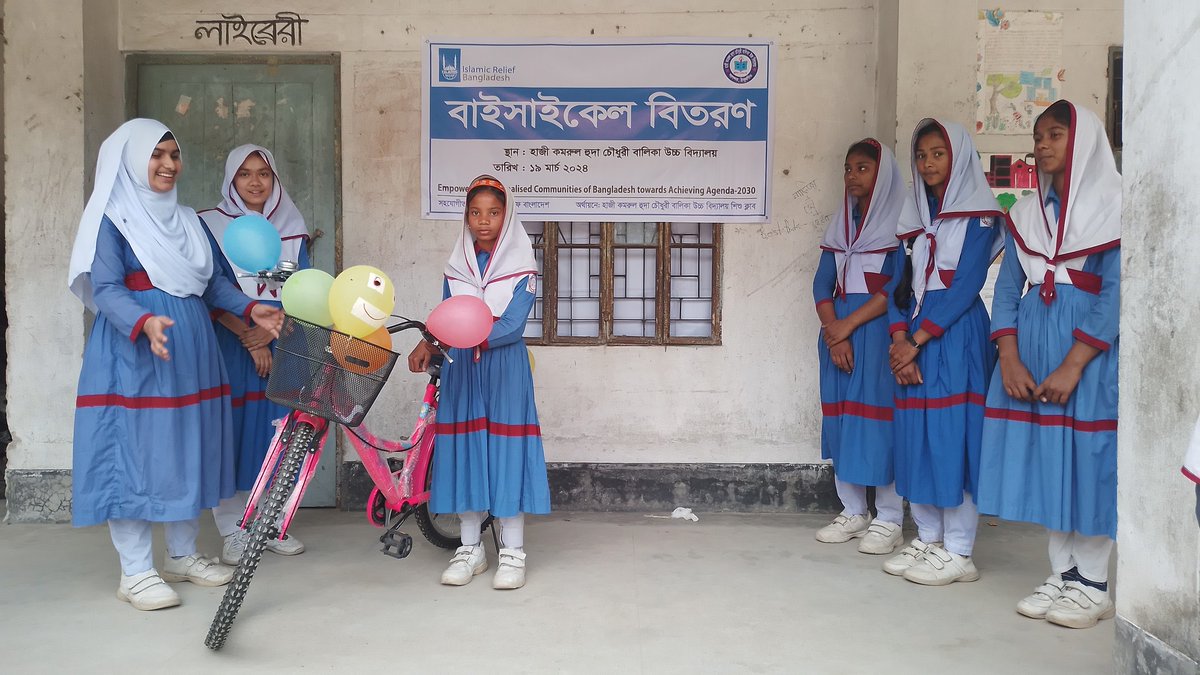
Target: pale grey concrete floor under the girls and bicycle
[[607, 594]]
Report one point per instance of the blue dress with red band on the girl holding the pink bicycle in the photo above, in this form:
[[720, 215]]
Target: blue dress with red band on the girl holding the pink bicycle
[[489, 455]]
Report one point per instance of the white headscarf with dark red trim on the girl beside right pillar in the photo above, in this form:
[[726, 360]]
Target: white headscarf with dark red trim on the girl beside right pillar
[[1089, 211]]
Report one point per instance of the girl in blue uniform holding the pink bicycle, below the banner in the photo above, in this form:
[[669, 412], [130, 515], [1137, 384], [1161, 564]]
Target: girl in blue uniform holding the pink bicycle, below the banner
[[489, 456]]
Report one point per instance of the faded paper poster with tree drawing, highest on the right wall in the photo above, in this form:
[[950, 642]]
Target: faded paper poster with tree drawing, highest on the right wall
[[1019, 69]]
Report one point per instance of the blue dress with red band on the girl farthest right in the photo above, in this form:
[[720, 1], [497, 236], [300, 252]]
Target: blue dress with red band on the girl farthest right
[[1053, 464]]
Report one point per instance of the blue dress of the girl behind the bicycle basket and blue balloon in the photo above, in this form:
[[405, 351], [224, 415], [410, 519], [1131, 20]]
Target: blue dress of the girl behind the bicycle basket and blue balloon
[[253, 411]]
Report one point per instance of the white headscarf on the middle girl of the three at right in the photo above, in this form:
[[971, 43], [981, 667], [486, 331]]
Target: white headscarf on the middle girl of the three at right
[[968, 195]]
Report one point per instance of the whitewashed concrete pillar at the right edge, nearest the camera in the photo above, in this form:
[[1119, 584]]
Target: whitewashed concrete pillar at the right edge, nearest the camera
[[1159, 587]]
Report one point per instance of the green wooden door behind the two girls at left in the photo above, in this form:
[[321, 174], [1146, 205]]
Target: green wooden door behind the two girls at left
[[290, 109]]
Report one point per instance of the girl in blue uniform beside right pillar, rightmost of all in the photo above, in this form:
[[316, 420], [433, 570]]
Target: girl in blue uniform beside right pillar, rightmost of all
[[1051, 438]]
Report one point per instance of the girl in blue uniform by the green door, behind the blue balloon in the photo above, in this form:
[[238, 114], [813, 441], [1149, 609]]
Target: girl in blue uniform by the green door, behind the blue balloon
[[251, 186]]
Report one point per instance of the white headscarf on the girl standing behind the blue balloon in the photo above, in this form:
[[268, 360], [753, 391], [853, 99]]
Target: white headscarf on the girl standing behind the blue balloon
[[279, 210]]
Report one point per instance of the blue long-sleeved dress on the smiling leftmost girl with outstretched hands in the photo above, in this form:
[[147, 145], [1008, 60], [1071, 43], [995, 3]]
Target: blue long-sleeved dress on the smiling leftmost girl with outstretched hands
[[153, 439]]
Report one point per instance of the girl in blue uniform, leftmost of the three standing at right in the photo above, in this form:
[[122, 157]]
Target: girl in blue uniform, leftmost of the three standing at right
[[857, 386]]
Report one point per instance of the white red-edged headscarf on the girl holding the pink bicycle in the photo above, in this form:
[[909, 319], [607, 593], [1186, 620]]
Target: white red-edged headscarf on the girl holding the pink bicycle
[[511, 261]]
